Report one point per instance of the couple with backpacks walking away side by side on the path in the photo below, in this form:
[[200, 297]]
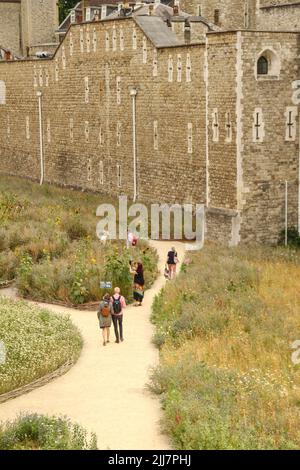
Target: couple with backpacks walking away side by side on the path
[[110, 311]]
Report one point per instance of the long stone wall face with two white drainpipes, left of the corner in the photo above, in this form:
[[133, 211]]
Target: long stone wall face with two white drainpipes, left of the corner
[[87, 115]]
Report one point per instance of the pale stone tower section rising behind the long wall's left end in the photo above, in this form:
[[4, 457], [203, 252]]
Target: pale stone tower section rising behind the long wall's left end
[[39, 20]]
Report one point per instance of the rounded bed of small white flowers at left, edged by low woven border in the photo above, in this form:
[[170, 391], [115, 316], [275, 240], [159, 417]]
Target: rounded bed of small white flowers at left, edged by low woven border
[[35, 343]]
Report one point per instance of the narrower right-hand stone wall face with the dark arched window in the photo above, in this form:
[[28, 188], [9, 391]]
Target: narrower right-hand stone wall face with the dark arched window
[[267, 164]]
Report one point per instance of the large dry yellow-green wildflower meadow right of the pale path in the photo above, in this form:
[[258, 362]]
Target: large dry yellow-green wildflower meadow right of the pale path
[[225, 329]]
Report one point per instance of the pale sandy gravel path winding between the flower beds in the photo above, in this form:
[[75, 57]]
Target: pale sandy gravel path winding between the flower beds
[[105, 391]]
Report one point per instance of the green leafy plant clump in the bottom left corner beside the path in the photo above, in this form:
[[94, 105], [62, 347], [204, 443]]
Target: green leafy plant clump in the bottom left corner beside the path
[[37, 432]]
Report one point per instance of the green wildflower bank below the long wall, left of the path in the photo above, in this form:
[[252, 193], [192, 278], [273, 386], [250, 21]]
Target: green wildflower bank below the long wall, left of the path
[[48, 243]]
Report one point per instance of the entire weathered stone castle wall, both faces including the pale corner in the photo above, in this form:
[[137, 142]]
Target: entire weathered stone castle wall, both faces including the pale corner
[[209, 128]]
